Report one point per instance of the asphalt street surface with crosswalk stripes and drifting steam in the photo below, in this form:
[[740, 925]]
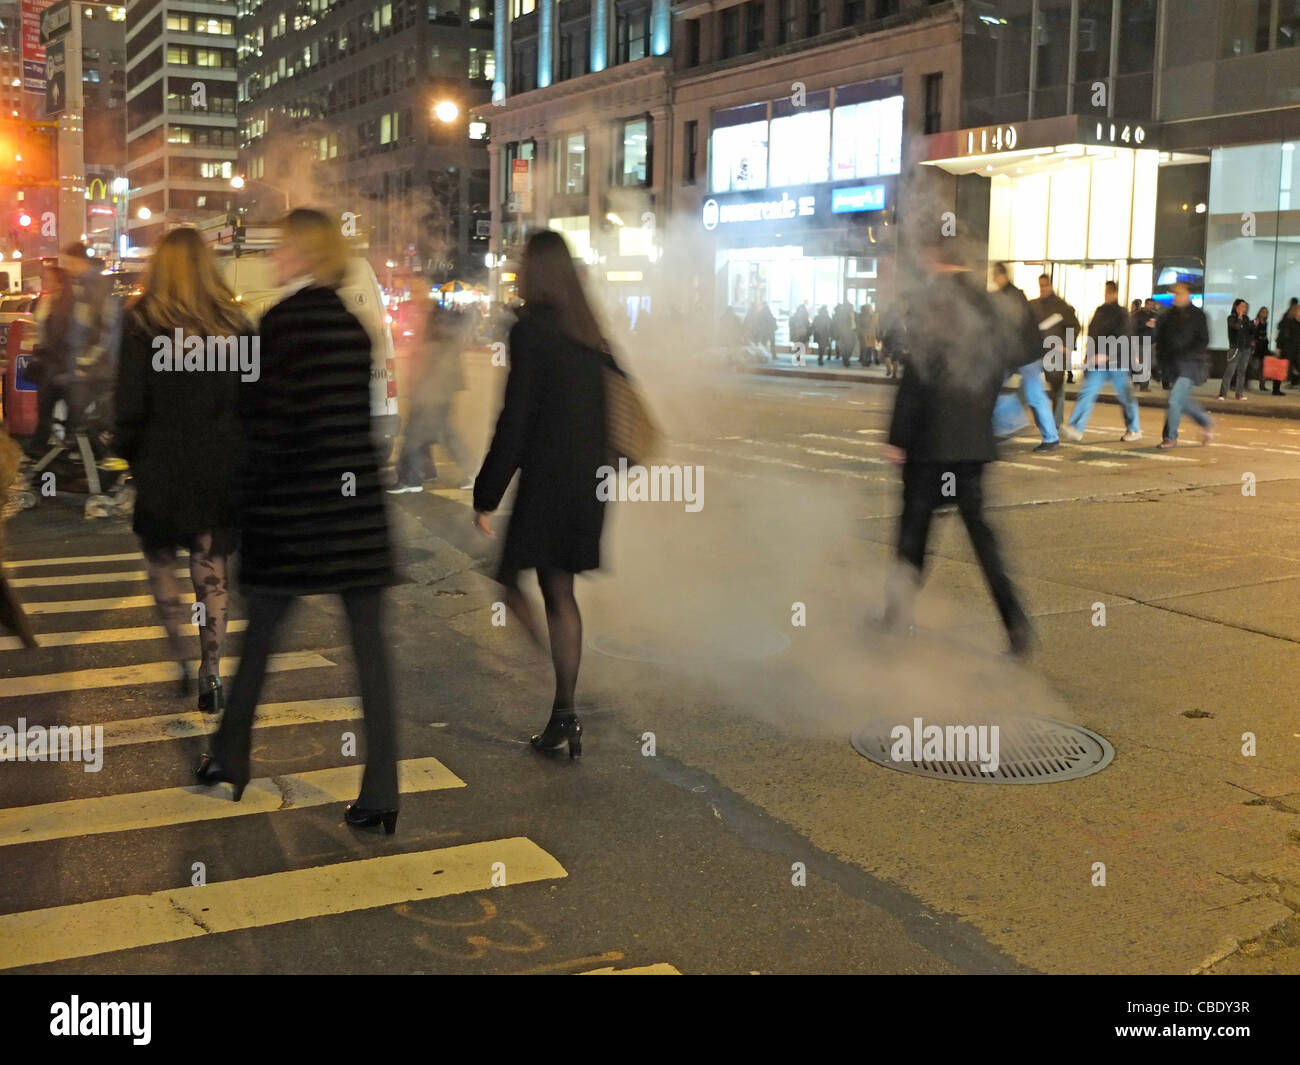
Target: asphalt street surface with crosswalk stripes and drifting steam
[[721, 821]]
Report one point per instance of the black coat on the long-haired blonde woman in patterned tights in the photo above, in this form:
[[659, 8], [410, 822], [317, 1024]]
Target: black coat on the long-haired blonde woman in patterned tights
[[180, 432]]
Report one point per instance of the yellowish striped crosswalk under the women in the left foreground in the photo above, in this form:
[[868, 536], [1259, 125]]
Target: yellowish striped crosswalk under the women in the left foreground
[[36, 702]]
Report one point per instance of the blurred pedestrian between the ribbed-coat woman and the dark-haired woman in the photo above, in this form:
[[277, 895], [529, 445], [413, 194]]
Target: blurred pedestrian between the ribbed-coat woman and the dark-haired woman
[[439, 375]]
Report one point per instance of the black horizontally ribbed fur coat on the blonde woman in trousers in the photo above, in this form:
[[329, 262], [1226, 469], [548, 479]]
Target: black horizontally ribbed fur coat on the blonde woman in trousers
[[307, 425]]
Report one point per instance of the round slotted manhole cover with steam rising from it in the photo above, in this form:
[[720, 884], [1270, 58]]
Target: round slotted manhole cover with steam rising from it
[[1019, 751]]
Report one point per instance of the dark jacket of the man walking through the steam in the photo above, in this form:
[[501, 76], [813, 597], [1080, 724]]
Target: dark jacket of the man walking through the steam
[[961, 348]]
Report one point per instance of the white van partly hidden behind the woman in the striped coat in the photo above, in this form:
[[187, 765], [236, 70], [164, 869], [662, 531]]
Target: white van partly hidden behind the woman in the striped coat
[[253, 279]]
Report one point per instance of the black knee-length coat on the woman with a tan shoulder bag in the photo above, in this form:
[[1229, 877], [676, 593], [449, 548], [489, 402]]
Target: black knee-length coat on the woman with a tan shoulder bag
[[552, 430]]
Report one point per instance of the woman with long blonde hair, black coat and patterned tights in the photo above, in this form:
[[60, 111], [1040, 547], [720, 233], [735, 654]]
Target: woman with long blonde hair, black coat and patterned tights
[[179, 428]]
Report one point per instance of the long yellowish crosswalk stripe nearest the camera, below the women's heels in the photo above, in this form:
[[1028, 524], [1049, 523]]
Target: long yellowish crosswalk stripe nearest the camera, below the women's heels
[[109, 925]]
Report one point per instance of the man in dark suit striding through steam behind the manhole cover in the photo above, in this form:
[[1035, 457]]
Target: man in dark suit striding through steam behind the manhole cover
[[961, 350]]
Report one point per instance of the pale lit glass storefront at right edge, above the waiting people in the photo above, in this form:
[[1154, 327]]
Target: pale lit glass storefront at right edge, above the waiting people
[[1254, 239]]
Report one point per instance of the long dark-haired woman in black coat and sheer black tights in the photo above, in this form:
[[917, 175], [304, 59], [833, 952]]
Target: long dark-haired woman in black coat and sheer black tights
[[552, 430]]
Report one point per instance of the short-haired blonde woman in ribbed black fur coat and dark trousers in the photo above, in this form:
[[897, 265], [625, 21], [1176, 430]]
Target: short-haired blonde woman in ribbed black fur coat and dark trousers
[[311, 505]]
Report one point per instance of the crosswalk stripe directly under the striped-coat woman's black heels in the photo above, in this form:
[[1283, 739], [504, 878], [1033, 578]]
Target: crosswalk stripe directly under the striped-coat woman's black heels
[[135, 811]]
